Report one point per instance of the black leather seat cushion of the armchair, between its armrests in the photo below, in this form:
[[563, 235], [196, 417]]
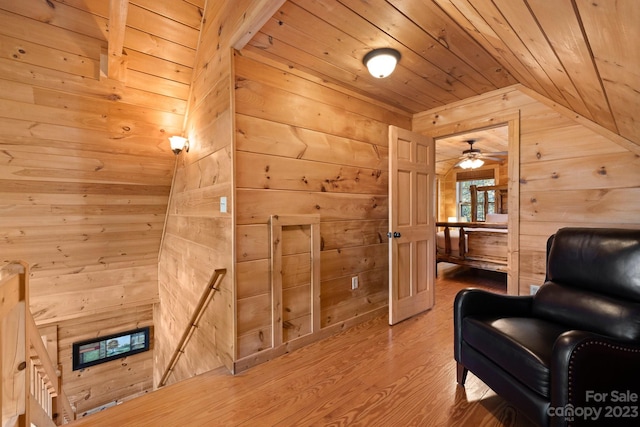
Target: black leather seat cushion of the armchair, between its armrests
[[520, 346]]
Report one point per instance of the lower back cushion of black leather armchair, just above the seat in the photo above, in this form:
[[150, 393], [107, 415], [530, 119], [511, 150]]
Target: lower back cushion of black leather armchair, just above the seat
[[589, 311]]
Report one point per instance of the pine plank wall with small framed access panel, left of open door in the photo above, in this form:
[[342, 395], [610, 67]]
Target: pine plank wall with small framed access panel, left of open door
[[305, 148]]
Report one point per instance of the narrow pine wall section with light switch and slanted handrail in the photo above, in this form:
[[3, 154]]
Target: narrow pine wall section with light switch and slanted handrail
[[199, 237]]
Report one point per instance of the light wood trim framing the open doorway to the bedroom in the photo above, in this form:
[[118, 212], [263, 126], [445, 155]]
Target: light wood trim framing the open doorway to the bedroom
[[512, 120]]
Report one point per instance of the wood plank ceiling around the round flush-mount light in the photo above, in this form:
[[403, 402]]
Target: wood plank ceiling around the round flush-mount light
[[578, 53]]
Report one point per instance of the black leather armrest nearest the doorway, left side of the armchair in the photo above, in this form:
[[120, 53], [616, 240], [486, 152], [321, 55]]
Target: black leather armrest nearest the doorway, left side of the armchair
[[478, 302]]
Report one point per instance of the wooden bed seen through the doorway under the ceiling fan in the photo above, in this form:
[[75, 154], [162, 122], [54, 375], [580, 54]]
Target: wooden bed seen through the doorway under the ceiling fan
[[477, 244]]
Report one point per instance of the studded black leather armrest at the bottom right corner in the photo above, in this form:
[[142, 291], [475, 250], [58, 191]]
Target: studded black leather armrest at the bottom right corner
[[596, 372]]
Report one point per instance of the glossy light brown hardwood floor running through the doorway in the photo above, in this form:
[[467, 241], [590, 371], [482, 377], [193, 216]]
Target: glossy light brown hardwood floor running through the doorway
[[370, 375]]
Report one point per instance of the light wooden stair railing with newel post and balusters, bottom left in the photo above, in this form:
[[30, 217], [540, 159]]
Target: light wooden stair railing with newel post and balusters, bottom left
[[31, 392]]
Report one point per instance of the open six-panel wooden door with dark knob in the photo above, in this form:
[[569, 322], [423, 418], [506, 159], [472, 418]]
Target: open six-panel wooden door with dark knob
[[411, 224]]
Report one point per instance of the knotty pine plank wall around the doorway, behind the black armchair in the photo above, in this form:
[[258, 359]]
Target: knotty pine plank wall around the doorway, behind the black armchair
[[572, 172]]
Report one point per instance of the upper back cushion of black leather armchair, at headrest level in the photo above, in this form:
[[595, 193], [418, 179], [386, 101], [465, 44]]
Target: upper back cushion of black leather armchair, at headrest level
[[602, 260]]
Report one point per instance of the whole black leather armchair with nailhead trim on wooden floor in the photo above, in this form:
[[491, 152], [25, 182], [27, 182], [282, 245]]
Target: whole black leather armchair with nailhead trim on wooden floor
[[570, 354]]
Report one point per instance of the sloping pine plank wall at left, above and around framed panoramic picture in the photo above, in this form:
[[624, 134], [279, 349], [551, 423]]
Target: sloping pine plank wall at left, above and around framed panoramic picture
[[85, 167]]
